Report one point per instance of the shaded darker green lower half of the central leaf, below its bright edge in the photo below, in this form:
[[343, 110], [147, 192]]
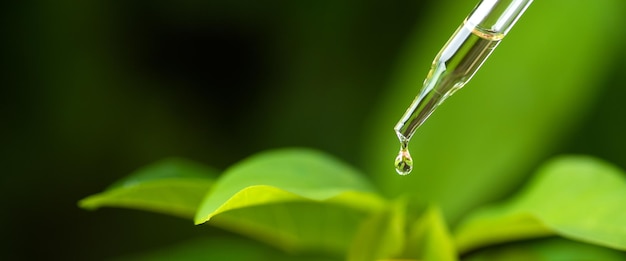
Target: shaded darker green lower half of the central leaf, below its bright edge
[[298, 226]]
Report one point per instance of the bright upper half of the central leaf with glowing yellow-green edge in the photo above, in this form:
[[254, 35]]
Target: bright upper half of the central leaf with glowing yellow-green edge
[[288, 175]]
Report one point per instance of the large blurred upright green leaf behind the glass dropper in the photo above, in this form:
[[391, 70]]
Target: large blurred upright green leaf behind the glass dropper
[[481, 142]]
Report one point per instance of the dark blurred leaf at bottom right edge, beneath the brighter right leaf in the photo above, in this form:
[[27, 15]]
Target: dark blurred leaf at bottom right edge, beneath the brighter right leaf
[[552, 249]]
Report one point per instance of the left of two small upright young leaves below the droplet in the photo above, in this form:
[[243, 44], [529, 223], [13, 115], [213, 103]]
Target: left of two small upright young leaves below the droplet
[[382, 235]]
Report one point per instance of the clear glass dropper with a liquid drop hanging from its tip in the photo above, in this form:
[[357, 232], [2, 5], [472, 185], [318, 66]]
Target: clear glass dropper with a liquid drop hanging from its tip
[[456, 63]]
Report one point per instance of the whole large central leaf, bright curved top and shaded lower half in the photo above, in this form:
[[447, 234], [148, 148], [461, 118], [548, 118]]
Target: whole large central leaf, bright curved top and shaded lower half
[[295, 199]]
